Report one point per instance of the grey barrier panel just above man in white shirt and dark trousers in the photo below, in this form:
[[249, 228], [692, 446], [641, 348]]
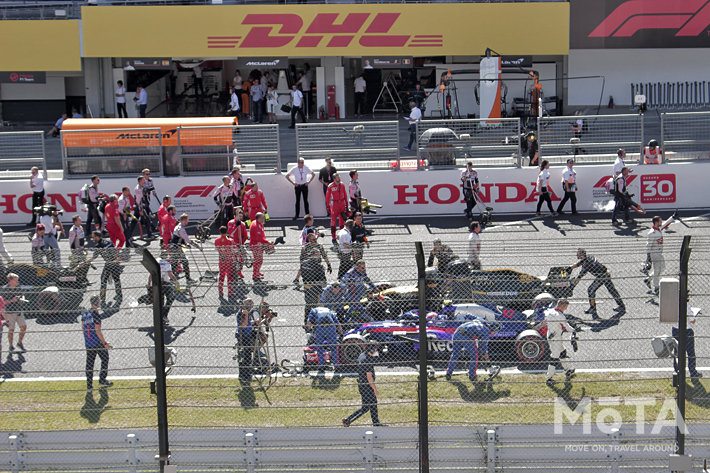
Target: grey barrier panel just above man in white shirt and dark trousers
[[349, 141]]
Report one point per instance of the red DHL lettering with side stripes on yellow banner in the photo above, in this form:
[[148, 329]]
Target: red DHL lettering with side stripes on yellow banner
[[276, 30]]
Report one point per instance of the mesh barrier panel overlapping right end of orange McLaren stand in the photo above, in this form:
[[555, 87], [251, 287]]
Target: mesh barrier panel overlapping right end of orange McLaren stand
[[256, 146]]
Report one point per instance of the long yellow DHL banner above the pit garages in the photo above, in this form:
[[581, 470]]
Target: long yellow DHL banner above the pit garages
[[326, 30]]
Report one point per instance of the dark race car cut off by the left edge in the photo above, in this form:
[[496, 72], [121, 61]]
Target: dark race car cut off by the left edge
[[48, 291]]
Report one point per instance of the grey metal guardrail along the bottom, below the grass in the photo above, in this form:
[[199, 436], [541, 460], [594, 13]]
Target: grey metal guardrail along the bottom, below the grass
[[536, 448]]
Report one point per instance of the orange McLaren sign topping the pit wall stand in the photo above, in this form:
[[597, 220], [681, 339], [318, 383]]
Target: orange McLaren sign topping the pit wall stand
[[112, 132]]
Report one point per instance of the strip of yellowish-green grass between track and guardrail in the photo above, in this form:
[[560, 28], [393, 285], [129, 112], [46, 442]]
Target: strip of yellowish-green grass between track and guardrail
[[299, 402]]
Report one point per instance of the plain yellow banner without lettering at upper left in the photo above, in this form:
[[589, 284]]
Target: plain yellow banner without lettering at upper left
[[40, 45]]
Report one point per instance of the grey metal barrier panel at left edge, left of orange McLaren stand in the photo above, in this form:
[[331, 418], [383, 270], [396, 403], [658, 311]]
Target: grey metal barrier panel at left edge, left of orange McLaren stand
[[19, 151]]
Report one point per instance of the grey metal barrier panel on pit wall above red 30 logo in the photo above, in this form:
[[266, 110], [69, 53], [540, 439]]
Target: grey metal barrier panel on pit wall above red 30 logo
[[685, 135]]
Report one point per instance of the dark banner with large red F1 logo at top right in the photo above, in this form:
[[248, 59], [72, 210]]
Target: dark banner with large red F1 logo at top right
[[633, 24]]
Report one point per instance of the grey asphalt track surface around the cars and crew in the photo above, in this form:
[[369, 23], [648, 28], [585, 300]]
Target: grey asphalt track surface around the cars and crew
[[204, 339]]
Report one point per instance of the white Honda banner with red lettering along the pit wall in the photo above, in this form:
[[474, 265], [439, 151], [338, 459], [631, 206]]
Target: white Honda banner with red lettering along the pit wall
[[667, 186]]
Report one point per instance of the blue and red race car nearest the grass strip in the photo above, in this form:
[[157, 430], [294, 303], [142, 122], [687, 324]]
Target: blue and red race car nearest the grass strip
[[515, 343]]
